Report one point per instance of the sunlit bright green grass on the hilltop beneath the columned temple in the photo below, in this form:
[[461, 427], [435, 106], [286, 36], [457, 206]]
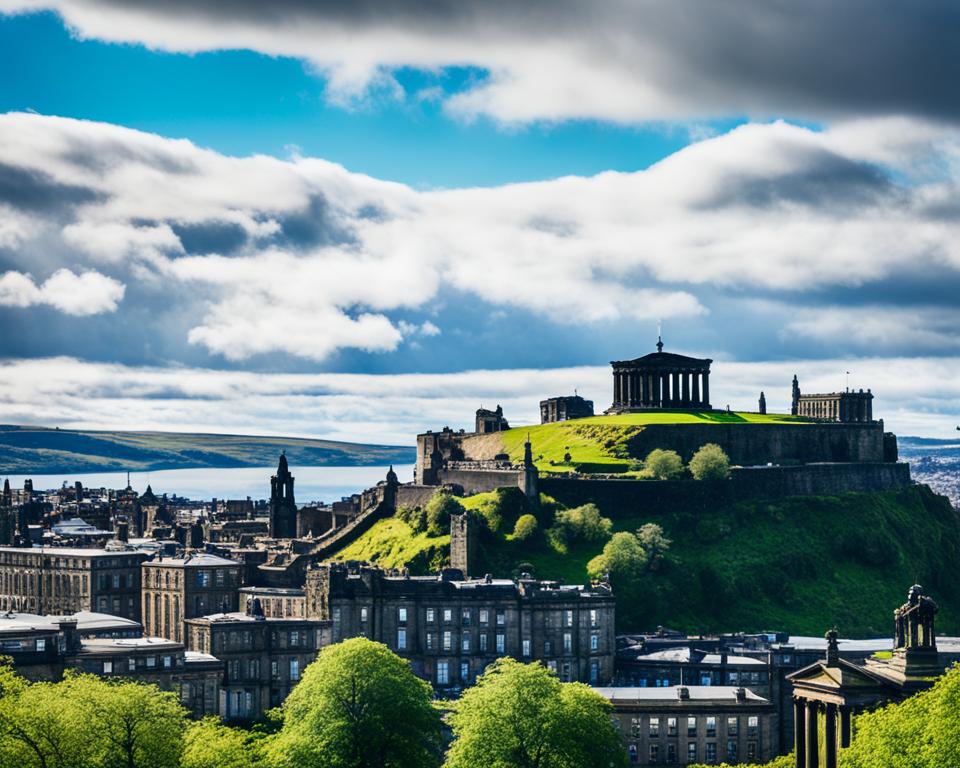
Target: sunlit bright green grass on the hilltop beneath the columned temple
[[600, 442]]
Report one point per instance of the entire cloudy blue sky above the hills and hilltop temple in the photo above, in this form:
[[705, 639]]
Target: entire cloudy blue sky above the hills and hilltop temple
[[359, 220]]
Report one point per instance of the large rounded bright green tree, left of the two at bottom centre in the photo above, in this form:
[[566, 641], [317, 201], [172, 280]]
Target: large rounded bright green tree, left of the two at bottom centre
[[358, 706]]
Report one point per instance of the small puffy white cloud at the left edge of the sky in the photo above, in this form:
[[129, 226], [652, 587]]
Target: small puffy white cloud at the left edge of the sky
[[89, 293]]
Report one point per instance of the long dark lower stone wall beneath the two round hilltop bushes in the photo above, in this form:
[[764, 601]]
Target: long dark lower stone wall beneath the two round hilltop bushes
[[744, 484]]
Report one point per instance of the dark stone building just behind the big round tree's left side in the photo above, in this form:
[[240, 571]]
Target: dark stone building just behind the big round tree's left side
[[263, 658]]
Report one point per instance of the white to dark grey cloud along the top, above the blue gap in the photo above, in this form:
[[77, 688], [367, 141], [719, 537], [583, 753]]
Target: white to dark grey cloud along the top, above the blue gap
[[620, 60]]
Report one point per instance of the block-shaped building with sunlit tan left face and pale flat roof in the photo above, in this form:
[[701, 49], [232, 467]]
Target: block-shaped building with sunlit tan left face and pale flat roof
[[176, 589]]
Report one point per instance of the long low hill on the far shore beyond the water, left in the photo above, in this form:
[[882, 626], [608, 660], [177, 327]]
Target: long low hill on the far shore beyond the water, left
[[53, 451]]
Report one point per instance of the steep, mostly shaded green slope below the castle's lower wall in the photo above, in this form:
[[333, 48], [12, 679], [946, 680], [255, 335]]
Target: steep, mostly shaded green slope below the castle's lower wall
[[800, 564]]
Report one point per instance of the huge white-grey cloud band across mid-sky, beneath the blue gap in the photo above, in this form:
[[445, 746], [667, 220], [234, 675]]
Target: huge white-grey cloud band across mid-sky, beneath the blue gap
[[305, 257]]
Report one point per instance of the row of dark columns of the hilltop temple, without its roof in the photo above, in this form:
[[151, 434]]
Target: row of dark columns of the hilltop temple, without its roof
[[660, 387]]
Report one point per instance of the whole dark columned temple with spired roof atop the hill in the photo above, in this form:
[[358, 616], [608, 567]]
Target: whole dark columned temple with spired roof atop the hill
[[660, 380]]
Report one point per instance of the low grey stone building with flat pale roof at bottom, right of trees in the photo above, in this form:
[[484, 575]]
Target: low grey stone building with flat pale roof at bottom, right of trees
[[694, 724]]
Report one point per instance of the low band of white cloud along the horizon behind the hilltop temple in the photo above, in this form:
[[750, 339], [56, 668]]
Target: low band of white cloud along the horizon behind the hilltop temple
[[913, 396]]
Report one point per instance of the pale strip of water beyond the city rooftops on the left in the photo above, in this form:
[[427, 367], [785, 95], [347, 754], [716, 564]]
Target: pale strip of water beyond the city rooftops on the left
[[312, 483]]
